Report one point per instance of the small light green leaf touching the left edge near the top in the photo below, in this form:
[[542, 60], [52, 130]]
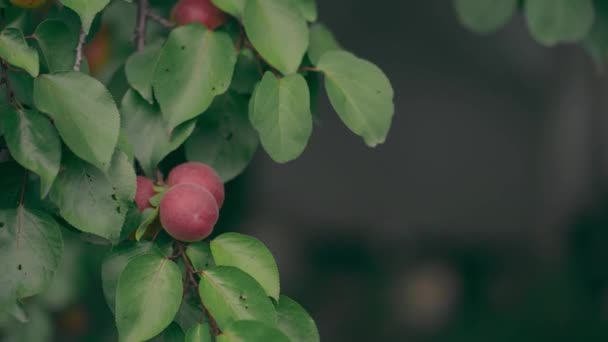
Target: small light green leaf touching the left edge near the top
[[15, 50]]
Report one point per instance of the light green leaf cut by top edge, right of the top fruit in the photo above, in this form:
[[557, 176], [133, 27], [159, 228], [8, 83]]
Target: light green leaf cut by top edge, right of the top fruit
[[278, 31]]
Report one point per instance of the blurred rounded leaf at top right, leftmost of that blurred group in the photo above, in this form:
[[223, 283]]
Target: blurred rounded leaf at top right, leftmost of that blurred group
[[485, 16]]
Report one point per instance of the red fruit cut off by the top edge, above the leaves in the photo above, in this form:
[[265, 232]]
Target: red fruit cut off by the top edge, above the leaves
[[198, 11]]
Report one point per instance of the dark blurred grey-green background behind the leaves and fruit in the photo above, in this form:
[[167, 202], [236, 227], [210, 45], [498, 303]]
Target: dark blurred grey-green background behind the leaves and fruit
[[484, 217]]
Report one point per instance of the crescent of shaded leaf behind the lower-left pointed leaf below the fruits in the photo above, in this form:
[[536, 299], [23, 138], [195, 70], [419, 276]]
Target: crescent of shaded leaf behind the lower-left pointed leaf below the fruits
[[115, 262]]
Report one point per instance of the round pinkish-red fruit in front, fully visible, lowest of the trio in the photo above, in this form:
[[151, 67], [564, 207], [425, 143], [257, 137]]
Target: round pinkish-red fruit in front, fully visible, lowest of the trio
[[188, 212]]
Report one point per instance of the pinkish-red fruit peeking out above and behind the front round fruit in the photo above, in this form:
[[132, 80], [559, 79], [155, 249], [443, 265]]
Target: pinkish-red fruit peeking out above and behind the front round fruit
[[199, 174]]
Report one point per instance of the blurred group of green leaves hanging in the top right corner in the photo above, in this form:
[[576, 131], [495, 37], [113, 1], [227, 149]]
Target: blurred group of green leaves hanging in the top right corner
[[550, 22]]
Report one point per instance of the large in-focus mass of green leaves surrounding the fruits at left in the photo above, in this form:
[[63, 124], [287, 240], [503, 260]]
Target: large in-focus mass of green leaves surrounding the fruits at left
[[74, 153]]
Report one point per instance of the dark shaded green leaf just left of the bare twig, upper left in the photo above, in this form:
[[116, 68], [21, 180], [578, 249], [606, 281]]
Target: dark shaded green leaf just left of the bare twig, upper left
[[58, 43]]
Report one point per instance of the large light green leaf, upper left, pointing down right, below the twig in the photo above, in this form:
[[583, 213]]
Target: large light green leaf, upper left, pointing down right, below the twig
[[84, 113]]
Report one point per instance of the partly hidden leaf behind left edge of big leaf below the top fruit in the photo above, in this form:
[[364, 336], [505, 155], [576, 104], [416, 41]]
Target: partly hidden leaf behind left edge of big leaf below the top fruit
[[140, 68]]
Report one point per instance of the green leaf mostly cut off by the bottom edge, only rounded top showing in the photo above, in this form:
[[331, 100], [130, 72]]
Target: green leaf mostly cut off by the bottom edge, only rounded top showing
[[252, 331]]
